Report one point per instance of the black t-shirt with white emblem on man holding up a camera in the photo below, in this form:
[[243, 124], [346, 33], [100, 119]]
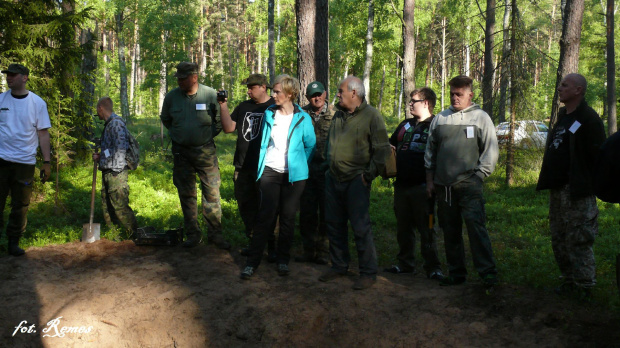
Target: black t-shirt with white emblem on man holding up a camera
[[249, 118]]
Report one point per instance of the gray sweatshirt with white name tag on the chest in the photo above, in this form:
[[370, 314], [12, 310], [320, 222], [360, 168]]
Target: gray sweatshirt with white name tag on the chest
[[461, 144]]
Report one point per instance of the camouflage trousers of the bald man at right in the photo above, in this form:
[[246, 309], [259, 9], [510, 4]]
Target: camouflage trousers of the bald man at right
[[574, 225]]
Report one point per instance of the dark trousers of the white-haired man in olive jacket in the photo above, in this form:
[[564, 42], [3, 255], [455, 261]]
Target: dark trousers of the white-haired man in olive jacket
[[349, 201]]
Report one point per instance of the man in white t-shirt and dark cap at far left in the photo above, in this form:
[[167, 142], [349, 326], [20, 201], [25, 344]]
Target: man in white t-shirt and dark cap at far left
[[24, 124]]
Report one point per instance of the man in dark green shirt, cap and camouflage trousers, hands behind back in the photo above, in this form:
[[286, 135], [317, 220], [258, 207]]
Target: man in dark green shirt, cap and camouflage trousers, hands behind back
[[192, 115]]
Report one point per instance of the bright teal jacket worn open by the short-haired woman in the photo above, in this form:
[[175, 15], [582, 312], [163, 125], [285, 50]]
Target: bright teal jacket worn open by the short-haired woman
[[301, 143]]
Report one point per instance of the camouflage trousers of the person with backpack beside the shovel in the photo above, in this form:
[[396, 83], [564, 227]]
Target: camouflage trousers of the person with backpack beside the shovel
[[115, 201]]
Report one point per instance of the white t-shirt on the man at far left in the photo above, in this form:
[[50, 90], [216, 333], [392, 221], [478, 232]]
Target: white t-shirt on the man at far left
[[20, 119]]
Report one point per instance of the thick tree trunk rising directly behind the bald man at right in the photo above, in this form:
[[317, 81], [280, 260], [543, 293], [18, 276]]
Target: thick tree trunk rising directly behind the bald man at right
[[572, 16]]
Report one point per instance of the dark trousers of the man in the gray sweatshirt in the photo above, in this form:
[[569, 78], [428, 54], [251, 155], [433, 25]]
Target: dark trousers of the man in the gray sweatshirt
[[464, 201]]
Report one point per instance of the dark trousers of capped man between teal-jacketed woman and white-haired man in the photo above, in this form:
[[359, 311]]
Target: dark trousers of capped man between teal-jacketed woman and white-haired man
[[313, 229]]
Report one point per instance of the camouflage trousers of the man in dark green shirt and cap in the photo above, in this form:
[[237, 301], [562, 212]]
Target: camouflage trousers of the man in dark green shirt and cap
[[201, 160]]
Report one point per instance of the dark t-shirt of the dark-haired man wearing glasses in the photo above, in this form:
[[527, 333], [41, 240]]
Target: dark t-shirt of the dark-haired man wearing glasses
[[410, 138]]
